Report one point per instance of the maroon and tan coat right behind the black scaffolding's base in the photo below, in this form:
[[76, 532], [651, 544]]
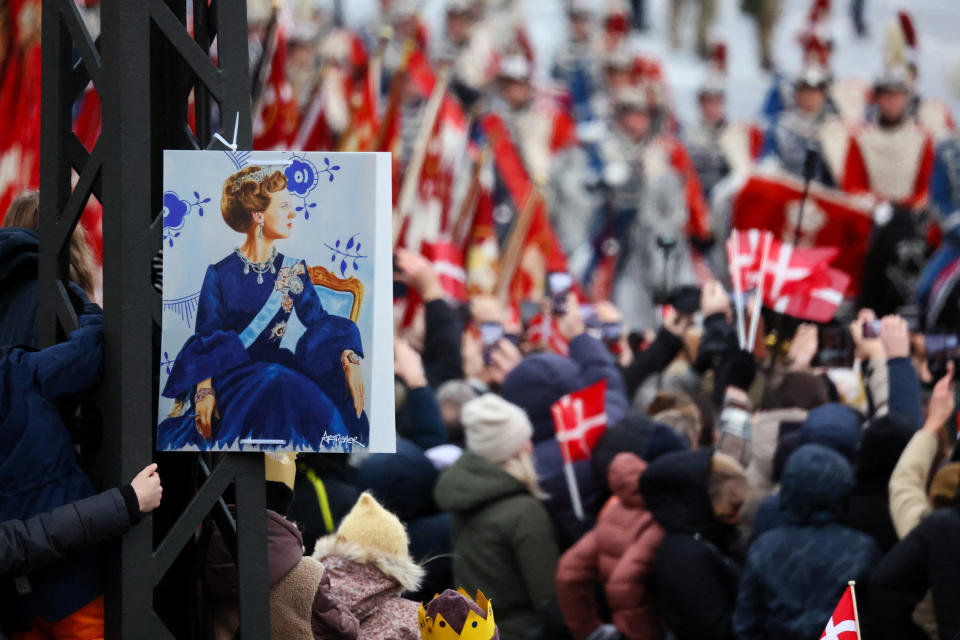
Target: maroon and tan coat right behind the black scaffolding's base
[[302, 605]]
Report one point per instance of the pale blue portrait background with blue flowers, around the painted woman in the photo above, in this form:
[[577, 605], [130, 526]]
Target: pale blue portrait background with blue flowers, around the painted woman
[[343, 218]]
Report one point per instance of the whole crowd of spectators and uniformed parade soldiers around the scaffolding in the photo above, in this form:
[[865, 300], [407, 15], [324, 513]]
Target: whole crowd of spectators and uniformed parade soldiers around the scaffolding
[[736, 487]]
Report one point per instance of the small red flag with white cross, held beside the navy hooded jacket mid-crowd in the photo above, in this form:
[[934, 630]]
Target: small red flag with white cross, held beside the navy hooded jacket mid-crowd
[[580, 419]]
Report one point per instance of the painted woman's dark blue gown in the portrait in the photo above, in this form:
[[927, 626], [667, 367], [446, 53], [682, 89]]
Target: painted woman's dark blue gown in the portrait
[[265, 390]]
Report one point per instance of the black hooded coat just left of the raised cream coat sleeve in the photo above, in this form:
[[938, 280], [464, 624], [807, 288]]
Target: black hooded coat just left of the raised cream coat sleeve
[[868, 509]]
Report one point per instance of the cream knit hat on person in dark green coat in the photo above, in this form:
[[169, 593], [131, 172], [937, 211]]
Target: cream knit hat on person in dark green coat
[[495, 429]]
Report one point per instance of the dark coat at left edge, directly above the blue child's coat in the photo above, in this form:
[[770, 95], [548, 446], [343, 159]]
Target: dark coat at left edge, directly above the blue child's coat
[[19, 250]]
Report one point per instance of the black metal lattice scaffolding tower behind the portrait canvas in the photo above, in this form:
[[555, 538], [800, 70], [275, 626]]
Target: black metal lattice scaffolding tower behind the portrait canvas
[[146, 67]]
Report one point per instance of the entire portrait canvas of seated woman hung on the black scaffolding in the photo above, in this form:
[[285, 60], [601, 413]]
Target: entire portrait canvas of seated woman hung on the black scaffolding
[[277, 308]]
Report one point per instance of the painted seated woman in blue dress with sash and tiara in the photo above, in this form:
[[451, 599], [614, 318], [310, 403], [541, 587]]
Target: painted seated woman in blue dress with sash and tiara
[[236, 382]]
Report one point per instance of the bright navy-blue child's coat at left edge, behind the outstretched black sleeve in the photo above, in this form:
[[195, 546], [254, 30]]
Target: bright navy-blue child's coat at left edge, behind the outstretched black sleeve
[[38, 465]]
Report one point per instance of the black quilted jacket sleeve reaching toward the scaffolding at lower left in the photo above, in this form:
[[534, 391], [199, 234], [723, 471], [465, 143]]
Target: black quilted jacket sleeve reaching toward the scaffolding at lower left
[[28, 545]]
